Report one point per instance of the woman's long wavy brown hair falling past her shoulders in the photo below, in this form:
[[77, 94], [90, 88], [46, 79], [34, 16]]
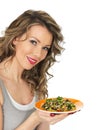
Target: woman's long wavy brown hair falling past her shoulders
[[38, 76]]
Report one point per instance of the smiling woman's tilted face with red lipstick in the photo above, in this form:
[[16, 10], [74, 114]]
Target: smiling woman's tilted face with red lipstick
[[34, 48]]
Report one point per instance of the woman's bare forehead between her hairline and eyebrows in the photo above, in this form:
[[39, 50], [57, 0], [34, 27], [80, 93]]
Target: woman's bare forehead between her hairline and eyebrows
[[41, 33]]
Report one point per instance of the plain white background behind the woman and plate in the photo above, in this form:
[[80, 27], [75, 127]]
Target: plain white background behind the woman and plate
[[76, 75]]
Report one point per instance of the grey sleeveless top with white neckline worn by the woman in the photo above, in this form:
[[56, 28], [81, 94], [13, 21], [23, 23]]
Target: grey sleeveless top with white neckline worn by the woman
[[14, 114]]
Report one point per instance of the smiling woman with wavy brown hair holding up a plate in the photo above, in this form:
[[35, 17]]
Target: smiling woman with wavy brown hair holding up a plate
[[27, 50]]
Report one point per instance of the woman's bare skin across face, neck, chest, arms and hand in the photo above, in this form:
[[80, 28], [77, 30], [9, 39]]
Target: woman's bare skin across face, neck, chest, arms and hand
[[31, 49]]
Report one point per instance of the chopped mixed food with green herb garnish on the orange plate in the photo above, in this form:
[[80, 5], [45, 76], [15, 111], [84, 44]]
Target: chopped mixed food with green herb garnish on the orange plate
[[58, 104]]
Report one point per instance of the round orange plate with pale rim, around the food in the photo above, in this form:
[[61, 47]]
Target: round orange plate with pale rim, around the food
[[78, 104]]
